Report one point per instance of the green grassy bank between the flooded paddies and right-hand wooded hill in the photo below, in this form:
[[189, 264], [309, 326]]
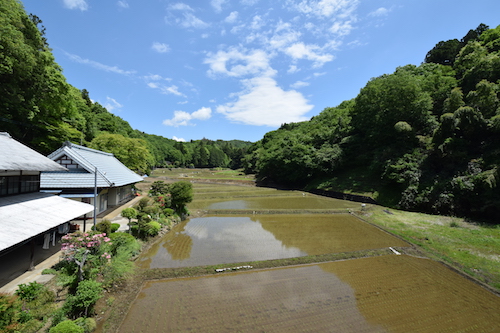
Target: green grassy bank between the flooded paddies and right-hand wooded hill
[[472, 248]]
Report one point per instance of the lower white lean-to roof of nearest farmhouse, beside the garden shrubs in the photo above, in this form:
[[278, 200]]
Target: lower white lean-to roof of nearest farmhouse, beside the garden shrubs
[[25, 216]]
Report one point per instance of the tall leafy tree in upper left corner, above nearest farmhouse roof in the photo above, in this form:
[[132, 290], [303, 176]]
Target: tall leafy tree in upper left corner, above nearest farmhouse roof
[[34, 94]]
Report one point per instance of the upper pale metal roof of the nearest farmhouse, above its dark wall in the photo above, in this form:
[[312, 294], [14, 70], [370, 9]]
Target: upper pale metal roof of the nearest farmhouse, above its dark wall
[[16, 156]]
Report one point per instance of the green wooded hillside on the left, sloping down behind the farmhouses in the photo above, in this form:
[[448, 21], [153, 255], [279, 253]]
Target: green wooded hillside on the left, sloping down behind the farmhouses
[[39, 108]]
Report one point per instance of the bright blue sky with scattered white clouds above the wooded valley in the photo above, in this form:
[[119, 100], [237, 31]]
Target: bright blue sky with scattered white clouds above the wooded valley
[[237, 69]]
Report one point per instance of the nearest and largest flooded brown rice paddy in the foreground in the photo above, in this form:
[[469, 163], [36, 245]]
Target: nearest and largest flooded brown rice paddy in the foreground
[[379, 294]]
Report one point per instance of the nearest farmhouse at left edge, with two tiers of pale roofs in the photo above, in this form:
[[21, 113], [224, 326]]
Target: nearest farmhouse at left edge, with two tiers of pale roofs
[[26, 214]]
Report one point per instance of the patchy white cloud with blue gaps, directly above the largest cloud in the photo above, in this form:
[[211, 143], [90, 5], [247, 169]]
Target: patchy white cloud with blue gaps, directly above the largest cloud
[[240, 63]]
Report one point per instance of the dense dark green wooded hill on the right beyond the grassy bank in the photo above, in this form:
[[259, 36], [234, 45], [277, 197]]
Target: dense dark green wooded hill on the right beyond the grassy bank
[[423, 138]]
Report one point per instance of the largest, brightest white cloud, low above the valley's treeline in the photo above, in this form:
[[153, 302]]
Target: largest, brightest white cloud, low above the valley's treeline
[[264, 103]]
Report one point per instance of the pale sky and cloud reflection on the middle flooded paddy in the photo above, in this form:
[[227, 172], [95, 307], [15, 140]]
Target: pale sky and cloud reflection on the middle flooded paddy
[[218, 240]]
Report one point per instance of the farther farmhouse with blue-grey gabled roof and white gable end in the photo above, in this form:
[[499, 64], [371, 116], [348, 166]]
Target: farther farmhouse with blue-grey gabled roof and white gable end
[[90, 172]]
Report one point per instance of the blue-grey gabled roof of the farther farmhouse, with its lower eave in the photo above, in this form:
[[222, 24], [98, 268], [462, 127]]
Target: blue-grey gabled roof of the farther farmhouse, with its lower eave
[[110, 171]]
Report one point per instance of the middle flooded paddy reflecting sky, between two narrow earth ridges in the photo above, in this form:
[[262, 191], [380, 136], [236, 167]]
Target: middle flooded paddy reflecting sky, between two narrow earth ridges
[[229, 239]]
